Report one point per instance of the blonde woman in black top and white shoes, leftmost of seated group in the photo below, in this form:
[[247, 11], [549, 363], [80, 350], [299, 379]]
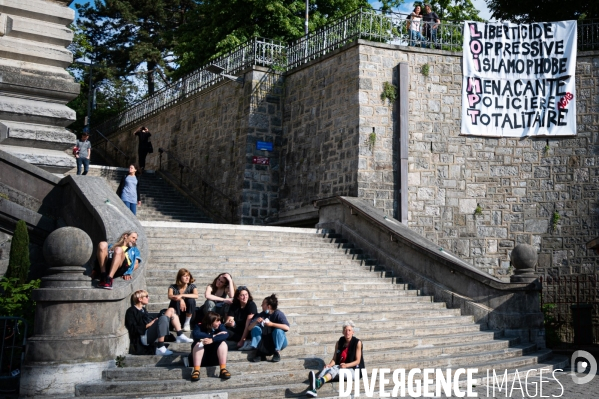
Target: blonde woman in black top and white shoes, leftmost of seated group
[[146, 333]]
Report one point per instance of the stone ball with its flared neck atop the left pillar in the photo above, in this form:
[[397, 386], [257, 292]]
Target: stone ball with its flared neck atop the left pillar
[[66, 250]]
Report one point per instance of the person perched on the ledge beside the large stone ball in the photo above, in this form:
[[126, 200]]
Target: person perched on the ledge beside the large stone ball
[[120, 258]]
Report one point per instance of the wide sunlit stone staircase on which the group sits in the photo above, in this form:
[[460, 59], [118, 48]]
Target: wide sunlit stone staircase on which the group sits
[[321, 281]]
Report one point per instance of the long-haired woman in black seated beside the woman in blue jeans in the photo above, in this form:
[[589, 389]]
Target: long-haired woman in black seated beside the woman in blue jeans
[[240, 316]]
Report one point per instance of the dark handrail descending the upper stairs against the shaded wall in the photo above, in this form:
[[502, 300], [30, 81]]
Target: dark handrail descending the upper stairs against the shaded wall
[[211, 199]]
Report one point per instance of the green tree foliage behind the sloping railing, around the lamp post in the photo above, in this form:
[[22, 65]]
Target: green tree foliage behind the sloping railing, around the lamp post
[[215, 27]]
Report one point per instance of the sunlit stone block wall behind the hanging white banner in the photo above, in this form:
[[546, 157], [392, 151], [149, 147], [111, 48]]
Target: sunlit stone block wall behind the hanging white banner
[[518, 184]]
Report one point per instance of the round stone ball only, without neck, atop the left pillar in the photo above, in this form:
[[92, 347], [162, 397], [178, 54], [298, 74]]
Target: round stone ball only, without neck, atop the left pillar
[[68, 246]]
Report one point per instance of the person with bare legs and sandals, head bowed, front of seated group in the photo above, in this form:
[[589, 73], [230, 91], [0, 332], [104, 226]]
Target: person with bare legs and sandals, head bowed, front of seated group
[[209, 347]]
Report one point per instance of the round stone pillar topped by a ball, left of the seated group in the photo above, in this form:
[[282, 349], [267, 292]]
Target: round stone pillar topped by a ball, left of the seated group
[[78, 329]]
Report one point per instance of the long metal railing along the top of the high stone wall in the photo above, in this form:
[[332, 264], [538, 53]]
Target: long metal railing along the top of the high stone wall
[[391, 28]]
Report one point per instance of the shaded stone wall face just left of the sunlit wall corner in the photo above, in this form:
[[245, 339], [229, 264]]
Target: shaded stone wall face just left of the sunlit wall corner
[[321, 140]]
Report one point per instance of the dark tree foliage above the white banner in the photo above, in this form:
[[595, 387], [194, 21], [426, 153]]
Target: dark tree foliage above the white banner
[[527, 11]]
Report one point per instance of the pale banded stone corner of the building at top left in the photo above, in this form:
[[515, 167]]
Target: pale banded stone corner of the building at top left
[[34, 85]]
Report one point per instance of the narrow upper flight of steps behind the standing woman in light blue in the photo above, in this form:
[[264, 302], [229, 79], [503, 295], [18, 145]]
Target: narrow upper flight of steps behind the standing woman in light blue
[[159, 200]]
